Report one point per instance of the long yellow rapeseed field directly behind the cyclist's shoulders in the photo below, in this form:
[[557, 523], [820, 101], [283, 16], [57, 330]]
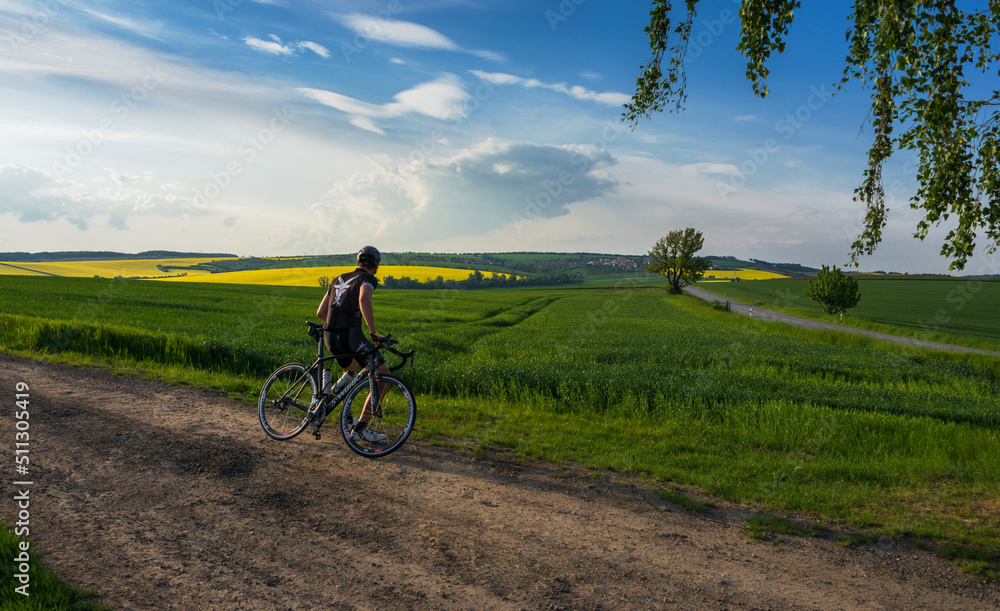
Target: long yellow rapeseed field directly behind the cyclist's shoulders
[[309, 276]]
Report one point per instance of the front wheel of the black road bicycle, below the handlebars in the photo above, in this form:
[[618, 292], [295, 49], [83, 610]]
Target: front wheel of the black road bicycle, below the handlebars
[[393, 414]]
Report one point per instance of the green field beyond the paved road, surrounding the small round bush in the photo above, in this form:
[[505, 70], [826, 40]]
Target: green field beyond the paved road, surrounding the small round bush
[[958, 311]]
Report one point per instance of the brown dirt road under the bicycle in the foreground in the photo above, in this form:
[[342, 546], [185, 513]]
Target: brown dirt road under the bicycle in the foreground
[[171, 498]]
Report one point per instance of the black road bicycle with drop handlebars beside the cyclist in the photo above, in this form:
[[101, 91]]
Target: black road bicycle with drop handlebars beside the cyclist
[[292, 400]]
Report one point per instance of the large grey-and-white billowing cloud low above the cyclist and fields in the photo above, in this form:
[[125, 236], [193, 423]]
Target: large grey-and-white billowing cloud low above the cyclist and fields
[[481, 188]]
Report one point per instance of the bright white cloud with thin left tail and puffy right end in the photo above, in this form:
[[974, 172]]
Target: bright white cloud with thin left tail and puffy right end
[[439, 99]]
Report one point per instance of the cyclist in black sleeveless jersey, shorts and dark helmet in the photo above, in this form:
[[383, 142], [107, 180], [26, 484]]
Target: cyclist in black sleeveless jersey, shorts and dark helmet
[[346, 304]]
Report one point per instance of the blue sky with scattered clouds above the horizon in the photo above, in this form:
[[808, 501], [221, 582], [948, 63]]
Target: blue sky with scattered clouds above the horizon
[[283, 128]]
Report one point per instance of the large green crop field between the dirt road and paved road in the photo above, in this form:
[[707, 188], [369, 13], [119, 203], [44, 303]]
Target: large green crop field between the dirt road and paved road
[[855, 432]]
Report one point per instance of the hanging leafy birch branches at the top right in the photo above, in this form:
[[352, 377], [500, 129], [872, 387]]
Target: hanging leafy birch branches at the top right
[[914, 56]]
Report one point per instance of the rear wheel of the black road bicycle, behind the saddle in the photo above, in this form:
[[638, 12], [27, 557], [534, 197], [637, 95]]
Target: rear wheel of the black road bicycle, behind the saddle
[[284, 401]]
